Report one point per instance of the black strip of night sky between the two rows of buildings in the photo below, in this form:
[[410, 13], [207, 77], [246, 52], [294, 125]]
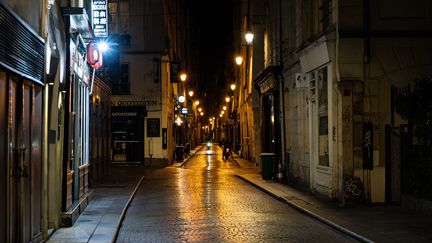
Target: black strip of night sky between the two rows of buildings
[[212, 35]]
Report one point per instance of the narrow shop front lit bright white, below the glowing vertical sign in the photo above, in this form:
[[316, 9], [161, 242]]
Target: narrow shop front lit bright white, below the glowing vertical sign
[[76, 192]]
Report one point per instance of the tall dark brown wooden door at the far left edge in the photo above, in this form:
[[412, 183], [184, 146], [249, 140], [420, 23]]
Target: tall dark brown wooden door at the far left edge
[[24, 160]]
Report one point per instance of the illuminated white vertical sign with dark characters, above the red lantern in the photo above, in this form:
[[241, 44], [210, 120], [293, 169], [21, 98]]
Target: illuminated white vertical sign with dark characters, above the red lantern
[[100, 18]]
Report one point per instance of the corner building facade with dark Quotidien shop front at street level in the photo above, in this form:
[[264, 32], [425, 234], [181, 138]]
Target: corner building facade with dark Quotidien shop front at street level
[[141, 104]]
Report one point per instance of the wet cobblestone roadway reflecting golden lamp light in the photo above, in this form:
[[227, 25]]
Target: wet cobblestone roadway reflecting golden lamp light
[[205, 202]]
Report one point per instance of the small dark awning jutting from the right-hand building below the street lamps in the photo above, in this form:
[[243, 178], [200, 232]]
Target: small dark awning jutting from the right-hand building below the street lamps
[[267, 80]]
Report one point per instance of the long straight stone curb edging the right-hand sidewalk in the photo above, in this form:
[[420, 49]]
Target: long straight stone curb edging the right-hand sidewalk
[[311, 214]]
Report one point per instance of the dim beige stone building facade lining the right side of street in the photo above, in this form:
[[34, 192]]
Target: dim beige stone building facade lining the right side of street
[[329, 75]]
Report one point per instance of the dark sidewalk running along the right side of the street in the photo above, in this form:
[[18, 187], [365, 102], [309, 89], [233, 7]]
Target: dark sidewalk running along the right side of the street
[[366, 223]]
